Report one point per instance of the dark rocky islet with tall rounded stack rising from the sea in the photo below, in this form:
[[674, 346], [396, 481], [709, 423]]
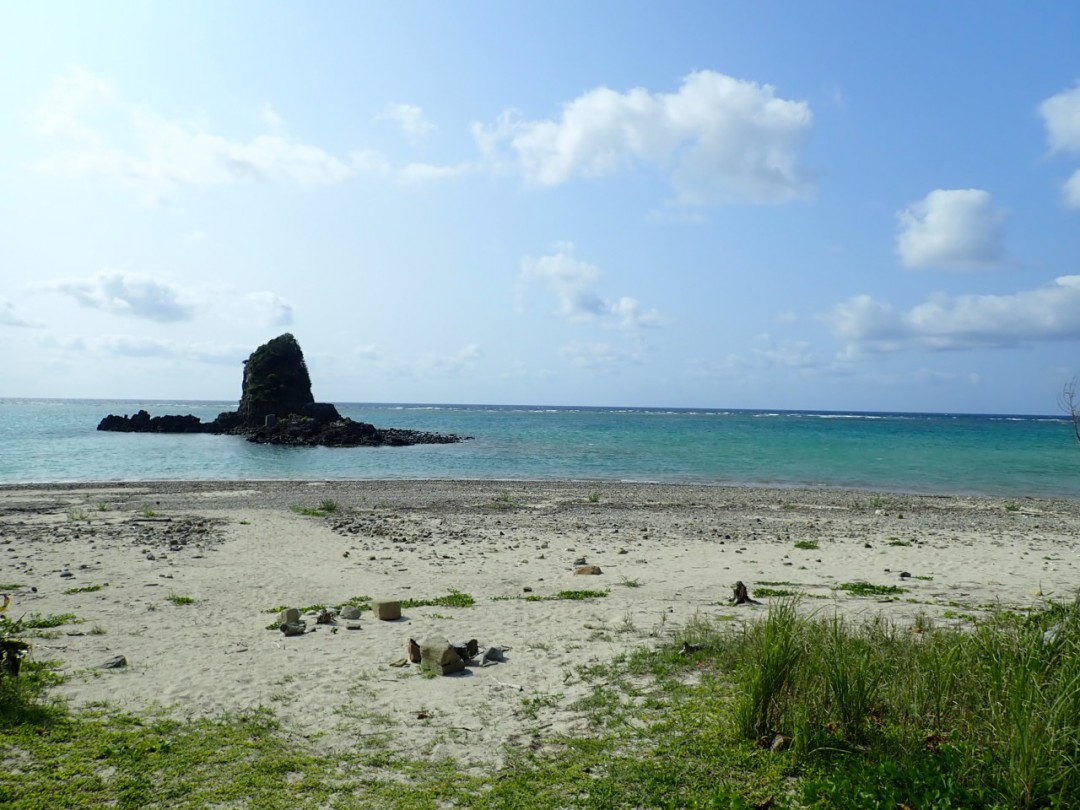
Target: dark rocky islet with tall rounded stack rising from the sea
[[277, 407]]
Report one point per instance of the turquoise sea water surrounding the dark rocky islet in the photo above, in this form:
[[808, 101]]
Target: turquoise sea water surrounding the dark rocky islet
[[57, 441]]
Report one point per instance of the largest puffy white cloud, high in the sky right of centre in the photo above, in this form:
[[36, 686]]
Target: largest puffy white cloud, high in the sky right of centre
[[718, 139]]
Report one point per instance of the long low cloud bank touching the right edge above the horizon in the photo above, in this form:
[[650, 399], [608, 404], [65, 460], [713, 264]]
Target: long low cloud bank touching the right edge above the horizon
[[943, 322]]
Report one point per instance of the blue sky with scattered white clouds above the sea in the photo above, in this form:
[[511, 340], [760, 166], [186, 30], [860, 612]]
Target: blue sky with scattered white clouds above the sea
[[828, 206]]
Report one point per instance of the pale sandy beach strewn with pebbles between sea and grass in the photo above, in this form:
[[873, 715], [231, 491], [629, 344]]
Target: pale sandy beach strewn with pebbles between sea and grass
[[182, 579]]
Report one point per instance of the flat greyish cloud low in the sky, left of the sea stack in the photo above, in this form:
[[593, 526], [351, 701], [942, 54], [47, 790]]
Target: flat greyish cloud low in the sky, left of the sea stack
[[139, 296]]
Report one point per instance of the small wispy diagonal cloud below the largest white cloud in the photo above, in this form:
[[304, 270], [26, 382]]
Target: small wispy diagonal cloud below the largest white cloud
[[574, 282]]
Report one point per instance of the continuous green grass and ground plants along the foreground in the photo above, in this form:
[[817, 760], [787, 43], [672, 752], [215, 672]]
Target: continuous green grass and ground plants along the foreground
[[861, 714]]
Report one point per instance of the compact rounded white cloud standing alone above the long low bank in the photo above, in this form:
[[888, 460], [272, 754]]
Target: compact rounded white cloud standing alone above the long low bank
[[955, 229]]
